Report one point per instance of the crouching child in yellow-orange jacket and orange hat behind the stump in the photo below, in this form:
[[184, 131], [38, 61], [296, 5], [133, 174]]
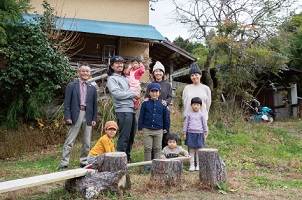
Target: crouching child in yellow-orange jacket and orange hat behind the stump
[[105, 144]]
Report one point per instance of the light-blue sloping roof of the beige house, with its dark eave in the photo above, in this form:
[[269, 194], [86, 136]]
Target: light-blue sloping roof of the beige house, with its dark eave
[[159, 50]]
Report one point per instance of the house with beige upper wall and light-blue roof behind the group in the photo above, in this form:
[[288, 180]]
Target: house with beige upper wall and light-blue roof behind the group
[[106, 28]]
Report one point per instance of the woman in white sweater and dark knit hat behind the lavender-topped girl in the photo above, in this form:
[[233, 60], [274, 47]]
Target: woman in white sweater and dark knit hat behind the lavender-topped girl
[[196, 89]]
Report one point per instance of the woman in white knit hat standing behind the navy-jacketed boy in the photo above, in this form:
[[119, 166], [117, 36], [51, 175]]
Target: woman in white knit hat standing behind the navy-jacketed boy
[[166, 91]]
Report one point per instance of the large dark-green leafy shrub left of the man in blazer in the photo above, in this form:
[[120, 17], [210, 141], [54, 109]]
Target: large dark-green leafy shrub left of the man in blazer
[[32, 73]]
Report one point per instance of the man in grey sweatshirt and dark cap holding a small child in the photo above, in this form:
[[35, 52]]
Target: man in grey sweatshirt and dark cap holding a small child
[[122, 95]]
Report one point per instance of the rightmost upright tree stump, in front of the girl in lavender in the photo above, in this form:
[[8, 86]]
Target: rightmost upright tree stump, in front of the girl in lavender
[[212, 169]]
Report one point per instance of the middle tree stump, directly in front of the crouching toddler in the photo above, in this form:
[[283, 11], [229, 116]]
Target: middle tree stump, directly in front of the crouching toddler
[[167, 171]]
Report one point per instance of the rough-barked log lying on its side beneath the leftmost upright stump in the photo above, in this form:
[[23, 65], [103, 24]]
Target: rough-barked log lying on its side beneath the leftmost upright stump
[[98, 183]]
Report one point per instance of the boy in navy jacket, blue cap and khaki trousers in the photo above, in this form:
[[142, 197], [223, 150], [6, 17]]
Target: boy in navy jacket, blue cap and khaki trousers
[[153, 122]]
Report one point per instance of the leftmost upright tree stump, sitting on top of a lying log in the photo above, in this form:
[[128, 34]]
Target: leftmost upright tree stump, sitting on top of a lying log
[[111, 162]]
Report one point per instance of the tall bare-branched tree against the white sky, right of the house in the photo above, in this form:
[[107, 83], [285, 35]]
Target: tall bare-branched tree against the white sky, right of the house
[[254, 21]]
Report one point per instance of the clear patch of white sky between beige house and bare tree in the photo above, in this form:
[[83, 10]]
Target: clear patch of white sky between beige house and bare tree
[[161, 19]]
